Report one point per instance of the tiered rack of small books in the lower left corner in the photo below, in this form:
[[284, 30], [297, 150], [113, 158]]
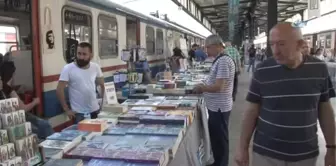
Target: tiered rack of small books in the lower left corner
[[19, 146]]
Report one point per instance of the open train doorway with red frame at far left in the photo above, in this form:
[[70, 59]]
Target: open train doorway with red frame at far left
[[17, 45]]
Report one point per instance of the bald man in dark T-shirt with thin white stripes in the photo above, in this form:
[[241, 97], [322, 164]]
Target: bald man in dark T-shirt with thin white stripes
[[287, 95]]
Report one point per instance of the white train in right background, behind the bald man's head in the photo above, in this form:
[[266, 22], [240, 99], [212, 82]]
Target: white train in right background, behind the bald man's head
[[319, 32]]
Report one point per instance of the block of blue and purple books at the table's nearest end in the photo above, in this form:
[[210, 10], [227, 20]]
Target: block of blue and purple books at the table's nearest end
[[136, 148]]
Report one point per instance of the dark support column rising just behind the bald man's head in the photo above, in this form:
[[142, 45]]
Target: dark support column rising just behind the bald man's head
[[272, 20]]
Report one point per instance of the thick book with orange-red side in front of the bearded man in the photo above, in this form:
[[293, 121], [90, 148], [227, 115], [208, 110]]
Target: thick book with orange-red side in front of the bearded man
[[93, 125]]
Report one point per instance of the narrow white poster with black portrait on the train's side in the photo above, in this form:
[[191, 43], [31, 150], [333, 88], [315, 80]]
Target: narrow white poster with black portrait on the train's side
[[48, 32]]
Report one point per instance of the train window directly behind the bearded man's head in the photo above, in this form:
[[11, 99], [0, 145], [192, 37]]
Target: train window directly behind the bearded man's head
[[77, 27]]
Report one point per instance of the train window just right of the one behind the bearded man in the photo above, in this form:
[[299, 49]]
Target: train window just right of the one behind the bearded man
[[108, 37]]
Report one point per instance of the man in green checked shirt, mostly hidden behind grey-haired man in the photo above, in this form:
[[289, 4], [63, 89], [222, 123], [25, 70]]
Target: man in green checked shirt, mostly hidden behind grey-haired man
[[234, 54]]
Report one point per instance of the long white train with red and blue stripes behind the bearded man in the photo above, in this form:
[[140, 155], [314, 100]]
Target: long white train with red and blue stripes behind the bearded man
[[40, 37]]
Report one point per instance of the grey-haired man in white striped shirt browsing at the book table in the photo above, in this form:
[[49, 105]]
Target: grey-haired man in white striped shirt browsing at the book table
[[217, 92]]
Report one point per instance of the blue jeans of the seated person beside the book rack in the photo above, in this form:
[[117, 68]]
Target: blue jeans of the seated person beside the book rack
[[40, 127]]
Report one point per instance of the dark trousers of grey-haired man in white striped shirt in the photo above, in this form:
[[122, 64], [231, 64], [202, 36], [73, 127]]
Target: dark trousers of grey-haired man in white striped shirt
[[219, 136]]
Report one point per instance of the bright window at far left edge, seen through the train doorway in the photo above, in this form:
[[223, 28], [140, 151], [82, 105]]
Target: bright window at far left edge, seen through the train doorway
[[8, 39]]
